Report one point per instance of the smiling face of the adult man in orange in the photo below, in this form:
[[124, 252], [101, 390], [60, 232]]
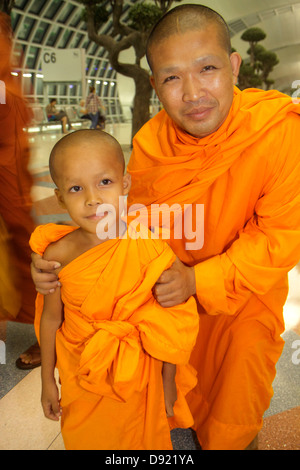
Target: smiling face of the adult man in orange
[[193, 76]]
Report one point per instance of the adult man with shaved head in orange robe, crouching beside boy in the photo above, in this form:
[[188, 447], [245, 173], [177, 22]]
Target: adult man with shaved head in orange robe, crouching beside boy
[[236, 153]]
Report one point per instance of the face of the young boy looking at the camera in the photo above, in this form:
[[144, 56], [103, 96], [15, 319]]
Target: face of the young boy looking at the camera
[[89, 178]]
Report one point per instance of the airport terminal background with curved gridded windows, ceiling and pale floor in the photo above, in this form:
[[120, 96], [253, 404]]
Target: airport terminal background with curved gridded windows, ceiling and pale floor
[[50, 26]]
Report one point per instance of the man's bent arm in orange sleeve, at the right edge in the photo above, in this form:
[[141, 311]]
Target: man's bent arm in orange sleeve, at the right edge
[[265, 249]]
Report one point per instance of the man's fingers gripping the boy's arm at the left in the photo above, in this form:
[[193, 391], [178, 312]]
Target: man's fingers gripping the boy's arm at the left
[[43, 274]]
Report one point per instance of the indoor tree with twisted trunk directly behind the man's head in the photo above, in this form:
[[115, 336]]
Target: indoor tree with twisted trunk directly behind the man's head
[[142, 16]]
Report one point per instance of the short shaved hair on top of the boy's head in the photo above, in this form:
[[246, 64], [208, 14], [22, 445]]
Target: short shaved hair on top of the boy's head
[[87, 137]]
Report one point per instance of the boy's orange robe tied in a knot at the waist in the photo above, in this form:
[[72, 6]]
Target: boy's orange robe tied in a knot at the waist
[[112, 343]]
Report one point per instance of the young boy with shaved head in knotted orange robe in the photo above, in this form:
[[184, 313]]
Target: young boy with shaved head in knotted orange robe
[[115, 347]]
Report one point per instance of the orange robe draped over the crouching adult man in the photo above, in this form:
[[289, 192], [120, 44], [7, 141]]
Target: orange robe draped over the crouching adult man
[[247, 176]]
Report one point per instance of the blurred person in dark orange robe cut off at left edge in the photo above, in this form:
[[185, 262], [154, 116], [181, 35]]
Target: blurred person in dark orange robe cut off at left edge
[[15, 179]]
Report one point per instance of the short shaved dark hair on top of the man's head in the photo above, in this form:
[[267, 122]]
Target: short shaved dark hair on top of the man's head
[[183, 19]]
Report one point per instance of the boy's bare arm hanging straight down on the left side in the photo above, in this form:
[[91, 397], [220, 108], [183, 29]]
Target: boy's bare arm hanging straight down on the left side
[[51, 320]]
